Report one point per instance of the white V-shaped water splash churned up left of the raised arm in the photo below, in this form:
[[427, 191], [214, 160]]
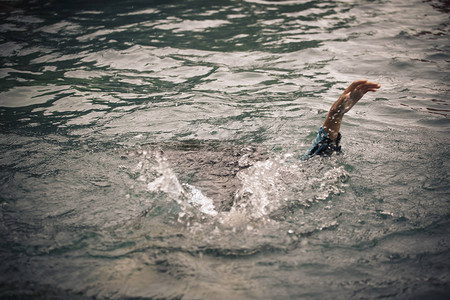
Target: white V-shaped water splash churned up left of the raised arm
[[266, 188]]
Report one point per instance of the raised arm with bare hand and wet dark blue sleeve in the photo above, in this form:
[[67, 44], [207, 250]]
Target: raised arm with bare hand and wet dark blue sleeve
[[328, 138]]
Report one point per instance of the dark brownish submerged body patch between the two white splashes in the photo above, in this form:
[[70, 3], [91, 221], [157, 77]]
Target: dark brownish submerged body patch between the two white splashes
[[210, 166]]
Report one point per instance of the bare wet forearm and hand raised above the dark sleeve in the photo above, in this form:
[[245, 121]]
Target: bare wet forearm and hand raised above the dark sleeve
[[346, 101]]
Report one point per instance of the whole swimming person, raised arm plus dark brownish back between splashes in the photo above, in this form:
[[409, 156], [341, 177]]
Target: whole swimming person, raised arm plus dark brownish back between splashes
[[214, 167]]
